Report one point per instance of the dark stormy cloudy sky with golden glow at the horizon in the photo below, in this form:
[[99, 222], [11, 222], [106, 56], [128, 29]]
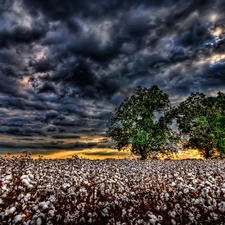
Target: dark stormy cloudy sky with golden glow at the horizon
[[66, 65]]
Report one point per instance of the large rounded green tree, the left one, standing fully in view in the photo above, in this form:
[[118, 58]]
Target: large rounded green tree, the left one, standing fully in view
[[139, 123]]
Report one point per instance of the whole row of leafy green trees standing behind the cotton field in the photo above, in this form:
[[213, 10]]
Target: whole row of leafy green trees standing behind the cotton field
[[147, 123]]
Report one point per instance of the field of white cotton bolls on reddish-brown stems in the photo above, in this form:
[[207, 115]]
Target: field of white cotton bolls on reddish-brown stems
[[76, 191]]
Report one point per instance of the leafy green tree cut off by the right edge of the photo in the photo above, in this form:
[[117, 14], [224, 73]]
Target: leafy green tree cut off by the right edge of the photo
[[199, 117]]
